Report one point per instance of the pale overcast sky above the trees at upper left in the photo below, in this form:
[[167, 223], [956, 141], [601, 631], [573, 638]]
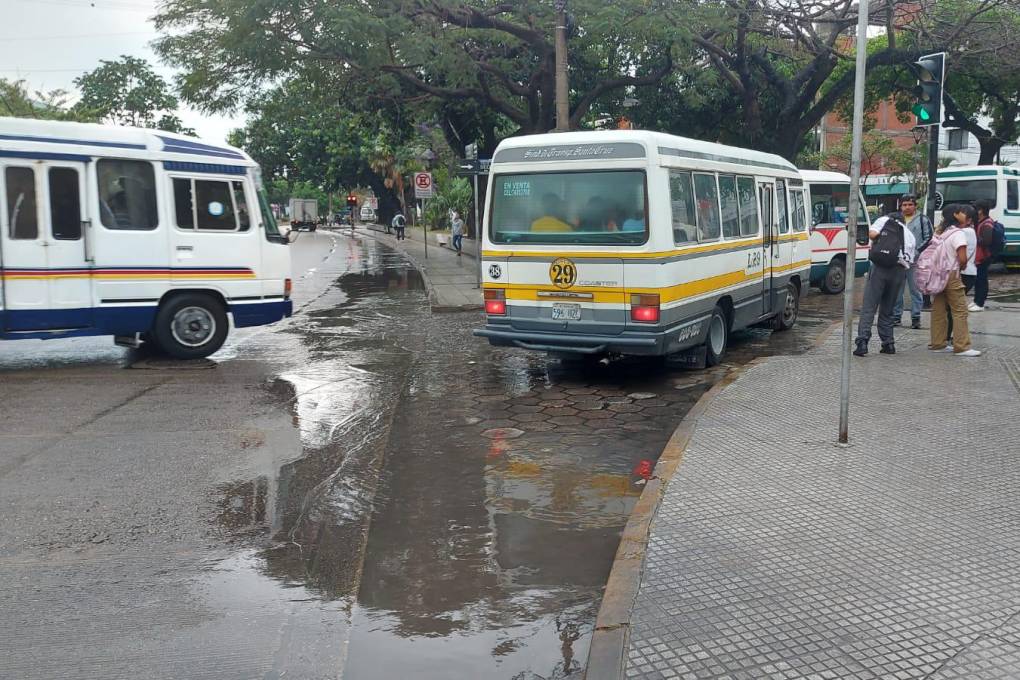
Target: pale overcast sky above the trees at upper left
[[49, 43]]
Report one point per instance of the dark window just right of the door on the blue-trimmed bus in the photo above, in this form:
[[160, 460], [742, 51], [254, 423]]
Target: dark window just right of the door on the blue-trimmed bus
[[127, 195]]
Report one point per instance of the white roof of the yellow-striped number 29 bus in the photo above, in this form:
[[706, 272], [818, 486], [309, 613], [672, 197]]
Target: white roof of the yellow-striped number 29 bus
[[668, 145]]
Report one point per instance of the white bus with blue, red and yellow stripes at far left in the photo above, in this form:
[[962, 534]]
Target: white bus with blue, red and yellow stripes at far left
[[136, 234]]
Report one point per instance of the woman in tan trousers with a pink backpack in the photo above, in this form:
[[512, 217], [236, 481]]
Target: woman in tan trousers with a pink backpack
[[938, 275]]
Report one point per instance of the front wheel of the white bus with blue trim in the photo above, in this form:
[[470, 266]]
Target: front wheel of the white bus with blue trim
[[191, 326]]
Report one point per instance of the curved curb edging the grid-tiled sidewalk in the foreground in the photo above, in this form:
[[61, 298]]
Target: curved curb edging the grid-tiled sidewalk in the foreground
[[607, 655]]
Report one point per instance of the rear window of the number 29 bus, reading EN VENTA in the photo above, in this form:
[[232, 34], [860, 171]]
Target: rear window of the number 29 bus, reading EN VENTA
[[553, 208]]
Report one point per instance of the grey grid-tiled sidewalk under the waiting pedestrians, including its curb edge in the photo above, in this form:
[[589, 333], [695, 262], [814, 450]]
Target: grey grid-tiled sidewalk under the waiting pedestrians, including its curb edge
[[777, 554]]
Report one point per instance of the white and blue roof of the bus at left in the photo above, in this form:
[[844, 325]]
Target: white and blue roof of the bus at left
[[50, 139]]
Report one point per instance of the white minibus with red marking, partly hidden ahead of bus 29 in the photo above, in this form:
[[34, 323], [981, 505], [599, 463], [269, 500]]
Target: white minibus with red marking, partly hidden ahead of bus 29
[[829, 207]]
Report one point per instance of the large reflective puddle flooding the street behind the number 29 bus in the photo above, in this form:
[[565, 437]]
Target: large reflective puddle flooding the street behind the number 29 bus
[[465, 503]]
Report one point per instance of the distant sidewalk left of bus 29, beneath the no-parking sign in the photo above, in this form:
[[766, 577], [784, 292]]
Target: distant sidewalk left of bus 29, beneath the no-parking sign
[[452, 281]]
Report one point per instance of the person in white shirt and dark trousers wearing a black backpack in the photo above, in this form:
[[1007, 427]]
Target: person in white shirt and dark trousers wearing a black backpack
[[892, 254]]
